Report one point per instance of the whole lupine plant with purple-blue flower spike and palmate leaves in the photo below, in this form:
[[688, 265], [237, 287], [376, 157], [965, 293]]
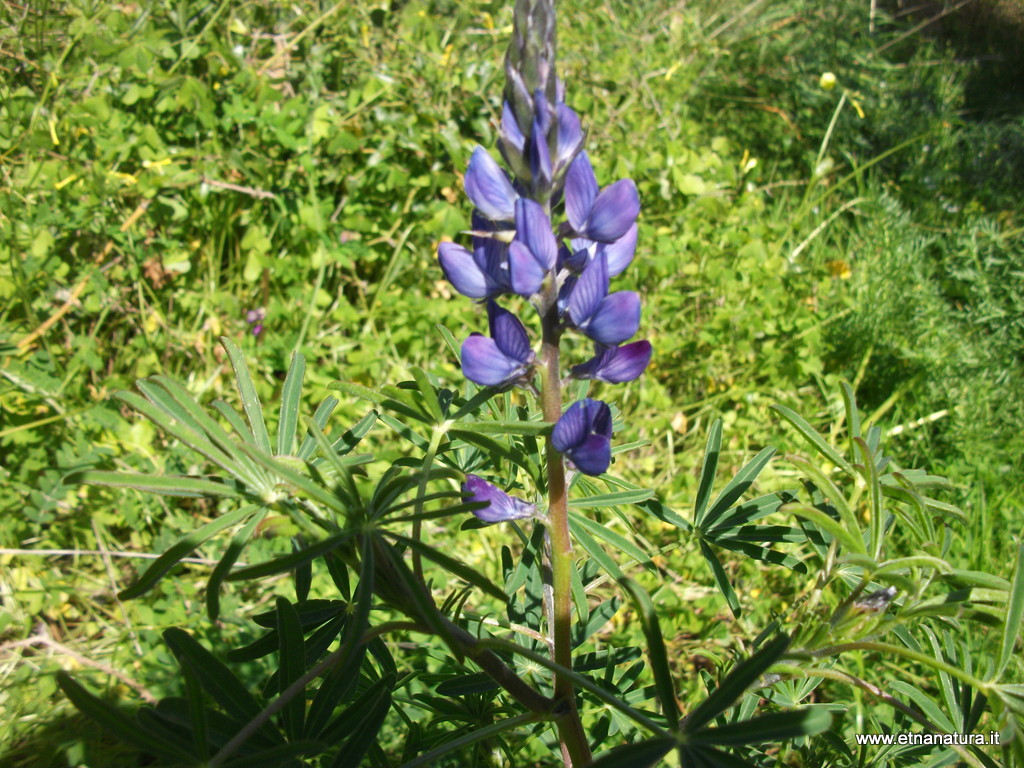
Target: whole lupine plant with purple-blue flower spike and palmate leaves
[[528, 677]]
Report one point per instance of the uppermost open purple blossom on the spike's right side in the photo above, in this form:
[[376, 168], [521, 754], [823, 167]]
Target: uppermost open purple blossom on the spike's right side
[[604, 216]]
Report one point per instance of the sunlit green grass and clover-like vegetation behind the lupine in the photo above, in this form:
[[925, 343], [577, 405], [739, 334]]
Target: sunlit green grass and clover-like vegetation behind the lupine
[[169, 168]]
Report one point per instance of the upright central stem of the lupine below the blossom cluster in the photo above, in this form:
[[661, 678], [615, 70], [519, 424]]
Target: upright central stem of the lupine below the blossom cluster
[[576, 751]]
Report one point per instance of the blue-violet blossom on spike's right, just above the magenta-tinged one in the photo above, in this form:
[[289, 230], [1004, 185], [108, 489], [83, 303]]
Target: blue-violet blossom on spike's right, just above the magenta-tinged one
[[607, 319]]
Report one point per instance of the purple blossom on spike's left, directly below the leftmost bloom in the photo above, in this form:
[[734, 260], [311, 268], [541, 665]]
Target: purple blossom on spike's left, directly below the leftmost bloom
[[505, 359]]
